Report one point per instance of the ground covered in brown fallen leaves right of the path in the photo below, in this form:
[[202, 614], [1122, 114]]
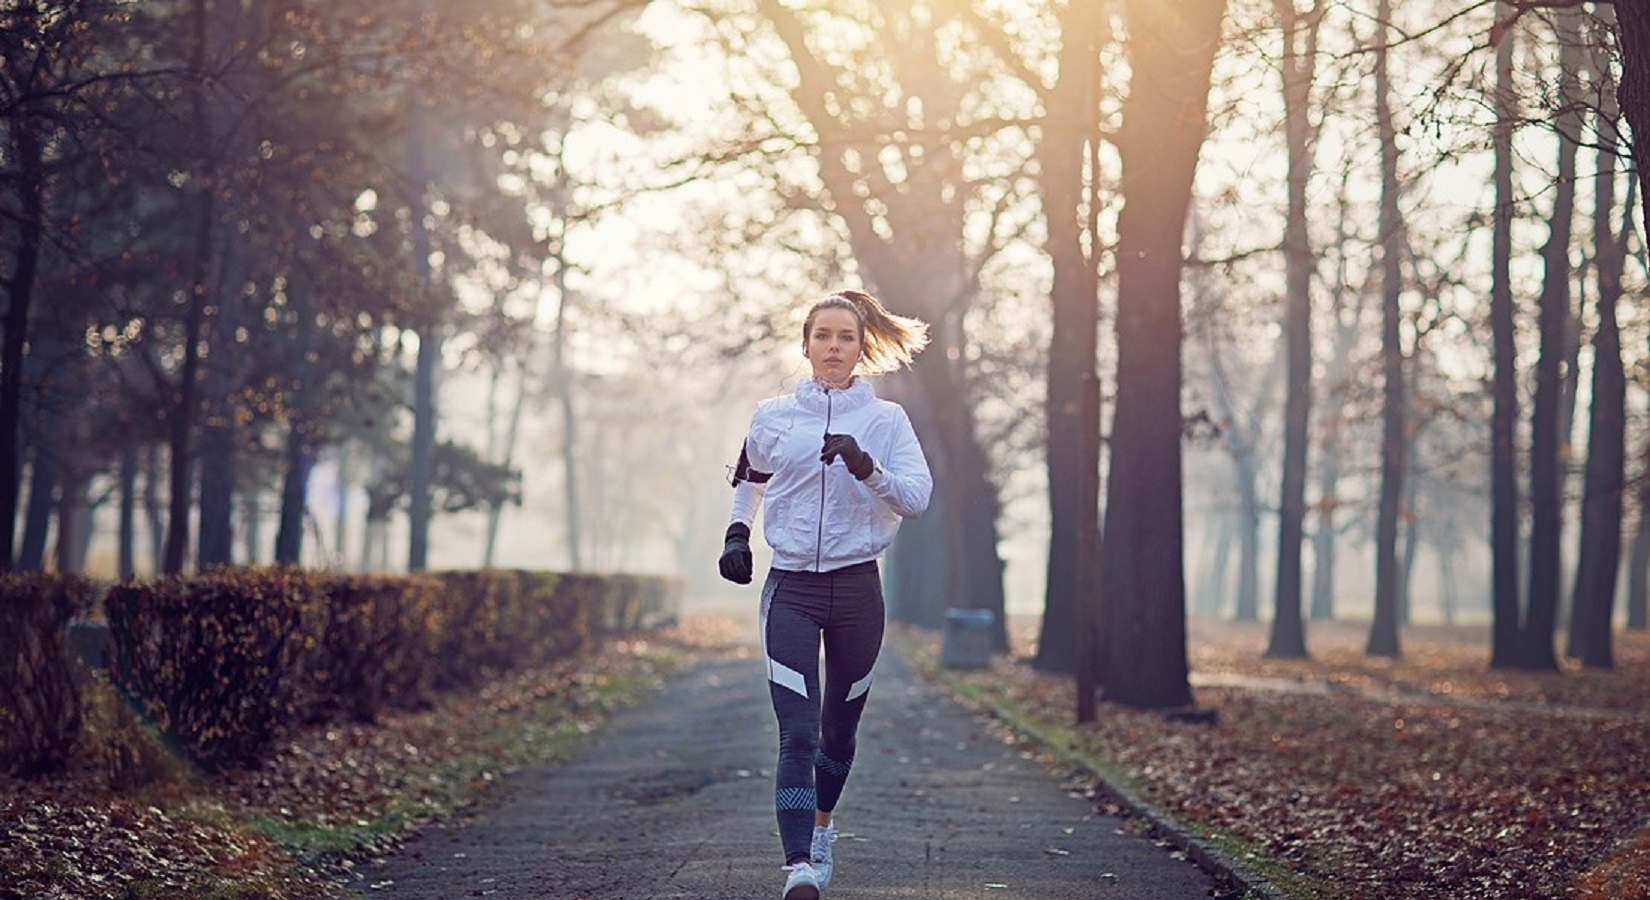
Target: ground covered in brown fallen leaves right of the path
[[1425, 777]]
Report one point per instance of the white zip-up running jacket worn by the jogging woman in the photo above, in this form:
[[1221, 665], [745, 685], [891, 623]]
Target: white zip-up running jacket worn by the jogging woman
[[819, 518]]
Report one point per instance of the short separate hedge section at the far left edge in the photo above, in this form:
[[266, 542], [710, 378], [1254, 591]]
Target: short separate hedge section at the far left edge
[[40, 704]]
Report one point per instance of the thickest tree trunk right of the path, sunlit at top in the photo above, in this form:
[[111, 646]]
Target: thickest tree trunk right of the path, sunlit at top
[[1143, 580]]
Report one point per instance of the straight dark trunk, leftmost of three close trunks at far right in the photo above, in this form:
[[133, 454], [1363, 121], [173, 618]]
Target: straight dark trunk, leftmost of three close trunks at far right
[[1504, 422]]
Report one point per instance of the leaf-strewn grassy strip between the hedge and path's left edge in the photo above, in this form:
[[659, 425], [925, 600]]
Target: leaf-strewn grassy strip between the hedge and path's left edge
[[332, 792]]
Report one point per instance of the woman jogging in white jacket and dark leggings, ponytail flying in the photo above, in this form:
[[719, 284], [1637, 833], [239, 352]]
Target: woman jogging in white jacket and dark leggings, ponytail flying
[[834, 471]]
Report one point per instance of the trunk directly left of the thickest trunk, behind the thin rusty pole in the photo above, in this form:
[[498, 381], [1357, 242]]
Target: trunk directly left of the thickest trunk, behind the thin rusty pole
[[1073, 382]]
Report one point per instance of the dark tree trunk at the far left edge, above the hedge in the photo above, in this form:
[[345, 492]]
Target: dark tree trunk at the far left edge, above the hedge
[[21, 293]]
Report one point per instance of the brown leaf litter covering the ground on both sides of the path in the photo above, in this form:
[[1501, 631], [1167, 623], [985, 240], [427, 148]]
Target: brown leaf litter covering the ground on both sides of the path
[[1423, 777]]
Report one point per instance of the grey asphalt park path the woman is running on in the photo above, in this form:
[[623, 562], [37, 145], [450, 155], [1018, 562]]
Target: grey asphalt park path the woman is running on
[[674, 800]]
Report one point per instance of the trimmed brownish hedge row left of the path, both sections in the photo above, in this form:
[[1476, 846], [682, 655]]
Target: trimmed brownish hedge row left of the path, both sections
[[224, 665]]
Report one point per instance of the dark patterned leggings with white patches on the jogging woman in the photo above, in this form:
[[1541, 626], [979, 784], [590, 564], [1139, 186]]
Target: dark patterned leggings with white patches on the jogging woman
[[818, 729]]
